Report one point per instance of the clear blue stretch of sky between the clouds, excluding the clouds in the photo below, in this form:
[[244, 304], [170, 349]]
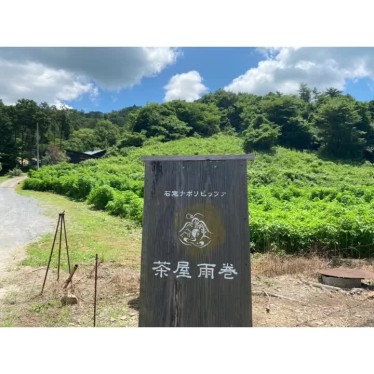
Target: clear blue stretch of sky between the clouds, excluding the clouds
[[216, 66]]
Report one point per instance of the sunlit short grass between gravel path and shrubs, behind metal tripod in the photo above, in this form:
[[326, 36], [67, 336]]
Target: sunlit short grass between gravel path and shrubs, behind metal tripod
[[89, 232]]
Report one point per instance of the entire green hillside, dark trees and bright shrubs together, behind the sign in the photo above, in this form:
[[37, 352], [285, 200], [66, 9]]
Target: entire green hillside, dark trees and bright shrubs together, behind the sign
[[311, 186]]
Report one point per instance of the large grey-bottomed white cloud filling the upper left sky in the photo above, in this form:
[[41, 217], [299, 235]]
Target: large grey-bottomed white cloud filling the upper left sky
[[58, 74]]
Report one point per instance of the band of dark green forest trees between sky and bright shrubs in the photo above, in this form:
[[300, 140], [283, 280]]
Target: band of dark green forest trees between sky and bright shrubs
[[336, 125]]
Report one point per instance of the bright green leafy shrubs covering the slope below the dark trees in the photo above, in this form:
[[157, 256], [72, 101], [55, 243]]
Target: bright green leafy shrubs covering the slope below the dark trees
[[297, 202]]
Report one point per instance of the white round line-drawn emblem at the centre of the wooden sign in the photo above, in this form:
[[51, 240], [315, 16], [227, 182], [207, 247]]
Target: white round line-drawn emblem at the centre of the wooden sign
[[195, 231]]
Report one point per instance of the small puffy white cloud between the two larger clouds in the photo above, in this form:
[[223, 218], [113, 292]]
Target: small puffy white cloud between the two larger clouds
[[186, 86]]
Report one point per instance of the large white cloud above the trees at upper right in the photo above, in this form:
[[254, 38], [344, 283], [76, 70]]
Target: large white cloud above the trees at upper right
[[284, 69]]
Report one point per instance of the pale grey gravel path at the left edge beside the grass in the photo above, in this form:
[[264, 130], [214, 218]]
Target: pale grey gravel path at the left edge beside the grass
[[21, 218]]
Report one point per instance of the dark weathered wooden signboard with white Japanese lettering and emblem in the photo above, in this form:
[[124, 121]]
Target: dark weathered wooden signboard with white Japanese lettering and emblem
[[195, 268]]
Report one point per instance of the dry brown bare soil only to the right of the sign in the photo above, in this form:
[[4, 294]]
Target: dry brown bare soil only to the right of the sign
[[310, 305]]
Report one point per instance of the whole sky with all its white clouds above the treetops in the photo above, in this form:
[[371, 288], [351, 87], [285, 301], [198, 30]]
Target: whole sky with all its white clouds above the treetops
[[106, 79]]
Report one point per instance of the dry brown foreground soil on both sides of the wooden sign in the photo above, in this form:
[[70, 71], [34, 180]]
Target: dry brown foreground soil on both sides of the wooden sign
[[278, 300]]
